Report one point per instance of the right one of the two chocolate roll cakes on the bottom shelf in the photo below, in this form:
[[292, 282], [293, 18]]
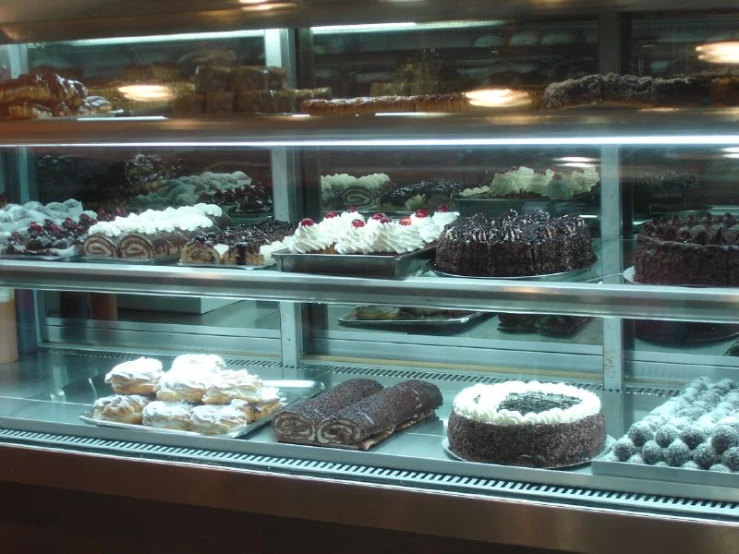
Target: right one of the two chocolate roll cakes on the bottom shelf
[[375, 418]]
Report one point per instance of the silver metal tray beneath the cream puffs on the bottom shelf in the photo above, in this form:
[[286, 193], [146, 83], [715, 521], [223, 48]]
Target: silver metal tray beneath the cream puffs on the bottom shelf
[[291, 392]]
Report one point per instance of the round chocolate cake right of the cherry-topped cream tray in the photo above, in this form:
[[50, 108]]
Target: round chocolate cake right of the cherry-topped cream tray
[[514, 245]]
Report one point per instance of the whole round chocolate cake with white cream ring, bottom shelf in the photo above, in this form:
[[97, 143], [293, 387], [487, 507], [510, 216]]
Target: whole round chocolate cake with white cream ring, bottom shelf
[[527, 424]]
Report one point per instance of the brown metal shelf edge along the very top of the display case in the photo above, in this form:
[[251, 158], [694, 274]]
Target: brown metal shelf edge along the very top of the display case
[[40, 20]]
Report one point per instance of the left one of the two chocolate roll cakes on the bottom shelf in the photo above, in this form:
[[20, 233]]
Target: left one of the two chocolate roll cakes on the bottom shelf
[[299, 424]]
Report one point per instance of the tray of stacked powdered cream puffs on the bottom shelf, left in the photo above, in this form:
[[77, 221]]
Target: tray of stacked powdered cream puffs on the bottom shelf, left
[[197, 396]]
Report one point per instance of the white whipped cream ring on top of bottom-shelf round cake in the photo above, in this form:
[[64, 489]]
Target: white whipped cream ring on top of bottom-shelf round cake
[[480, 402]]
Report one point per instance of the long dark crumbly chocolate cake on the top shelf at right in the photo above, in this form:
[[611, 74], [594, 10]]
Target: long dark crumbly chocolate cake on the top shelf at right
[[624, 91]]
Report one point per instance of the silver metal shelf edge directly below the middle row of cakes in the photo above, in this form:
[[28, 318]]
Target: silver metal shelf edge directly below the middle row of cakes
[[630, 301]]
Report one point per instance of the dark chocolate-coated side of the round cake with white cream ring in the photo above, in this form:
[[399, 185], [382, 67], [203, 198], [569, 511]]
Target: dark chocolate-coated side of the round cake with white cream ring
[[554, 445]]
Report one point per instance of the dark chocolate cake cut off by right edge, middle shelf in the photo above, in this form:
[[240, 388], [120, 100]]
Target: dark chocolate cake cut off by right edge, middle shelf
[[689, 251]]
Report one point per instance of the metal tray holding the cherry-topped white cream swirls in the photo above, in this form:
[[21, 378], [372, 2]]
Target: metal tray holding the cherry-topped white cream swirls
[[358, 265]]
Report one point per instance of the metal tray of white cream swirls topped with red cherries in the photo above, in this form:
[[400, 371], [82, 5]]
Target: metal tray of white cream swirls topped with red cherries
[[347, 244]]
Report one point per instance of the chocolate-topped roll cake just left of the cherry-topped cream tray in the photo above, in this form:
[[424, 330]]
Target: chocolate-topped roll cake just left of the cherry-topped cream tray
[[239, 245]]
